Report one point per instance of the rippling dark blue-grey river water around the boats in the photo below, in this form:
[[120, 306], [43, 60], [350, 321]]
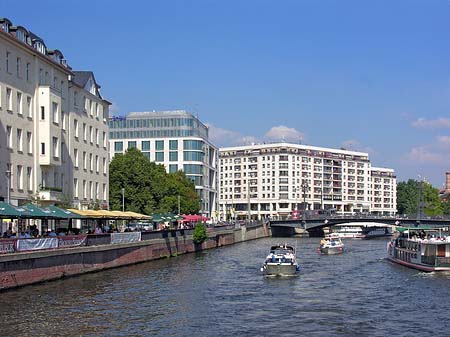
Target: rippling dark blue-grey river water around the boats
[[222, 293]]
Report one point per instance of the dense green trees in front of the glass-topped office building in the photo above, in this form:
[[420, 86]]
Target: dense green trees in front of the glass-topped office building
[[148, 188]]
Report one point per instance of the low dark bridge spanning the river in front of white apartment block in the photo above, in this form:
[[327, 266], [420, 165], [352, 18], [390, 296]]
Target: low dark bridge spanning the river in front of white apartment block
[[315, 224]]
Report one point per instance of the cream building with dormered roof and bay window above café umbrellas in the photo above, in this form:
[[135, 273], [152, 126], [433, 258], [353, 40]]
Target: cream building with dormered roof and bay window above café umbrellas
[[53, 125]]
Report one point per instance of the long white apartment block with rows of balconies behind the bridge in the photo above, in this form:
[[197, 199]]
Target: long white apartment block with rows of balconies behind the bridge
[[272, 180]]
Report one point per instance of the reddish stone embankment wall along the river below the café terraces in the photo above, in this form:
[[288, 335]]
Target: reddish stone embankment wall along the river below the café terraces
[[19, 269]]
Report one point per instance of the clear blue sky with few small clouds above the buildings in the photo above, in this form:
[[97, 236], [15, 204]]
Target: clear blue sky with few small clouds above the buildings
[[366, 75]]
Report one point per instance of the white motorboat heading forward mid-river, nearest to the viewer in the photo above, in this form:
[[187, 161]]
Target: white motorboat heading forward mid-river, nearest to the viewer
[[281, 261]]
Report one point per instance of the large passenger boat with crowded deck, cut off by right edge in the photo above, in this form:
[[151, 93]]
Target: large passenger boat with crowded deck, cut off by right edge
[[417, 248]]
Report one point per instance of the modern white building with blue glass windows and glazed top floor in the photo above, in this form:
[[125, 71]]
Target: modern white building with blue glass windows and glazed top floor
[[176, 139]]
